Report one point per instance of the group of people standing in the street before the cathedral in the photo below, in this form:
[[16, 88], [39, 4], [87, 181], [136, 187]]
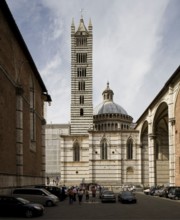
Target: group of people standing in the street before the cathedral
[[75, 193]]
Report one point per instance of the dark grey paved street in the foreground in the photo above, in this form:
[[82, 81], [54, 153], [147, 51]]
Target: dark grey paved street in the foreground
[[148, 207]]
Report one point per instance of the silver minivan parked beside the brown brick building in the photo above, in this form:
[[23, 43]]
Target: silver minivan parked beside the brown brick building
[[41, 196]]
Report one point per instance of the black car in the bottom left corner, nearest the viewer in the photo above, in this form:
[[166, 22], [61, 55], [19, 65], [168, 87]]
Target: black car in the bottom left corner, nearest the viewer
[[11, 206]]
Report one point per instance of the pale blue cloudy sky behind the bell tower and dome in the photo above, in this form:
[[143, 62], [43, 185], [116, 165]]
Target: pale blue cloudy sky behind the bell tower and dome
[[136, 48]]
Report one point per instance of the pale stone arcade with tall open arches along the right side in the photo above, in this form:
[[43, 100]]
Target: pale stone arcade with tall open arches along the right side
[[159, 137]]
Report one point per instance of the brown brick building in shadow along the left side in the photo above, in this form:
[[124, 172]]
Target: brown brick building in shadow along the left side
[[22, 97]]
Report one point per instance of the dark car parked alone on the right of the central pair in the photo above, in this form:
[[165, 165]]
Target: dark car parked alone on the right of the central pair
[[127, 197]]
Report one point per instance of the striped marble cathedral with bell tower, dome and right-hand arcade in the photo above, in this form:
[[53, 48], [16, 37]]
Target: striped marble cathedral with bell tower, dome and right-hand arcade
[[103, 145]]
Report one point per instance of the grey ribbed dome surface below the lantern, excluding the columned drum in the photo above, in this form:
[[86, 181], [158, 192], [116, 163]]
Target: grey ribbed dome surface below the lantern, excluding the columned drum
[[109, 108]]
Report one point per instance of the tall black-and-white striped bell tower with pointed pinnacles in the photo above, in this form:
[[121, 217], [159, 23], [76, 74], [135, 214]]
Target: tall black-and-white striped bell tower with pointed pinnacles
[[81, 78]]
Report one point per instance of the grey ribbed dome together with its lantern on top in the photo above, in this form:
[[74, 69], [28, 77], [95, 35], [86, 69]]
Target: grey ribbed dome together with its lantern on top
[[108, 106]]
